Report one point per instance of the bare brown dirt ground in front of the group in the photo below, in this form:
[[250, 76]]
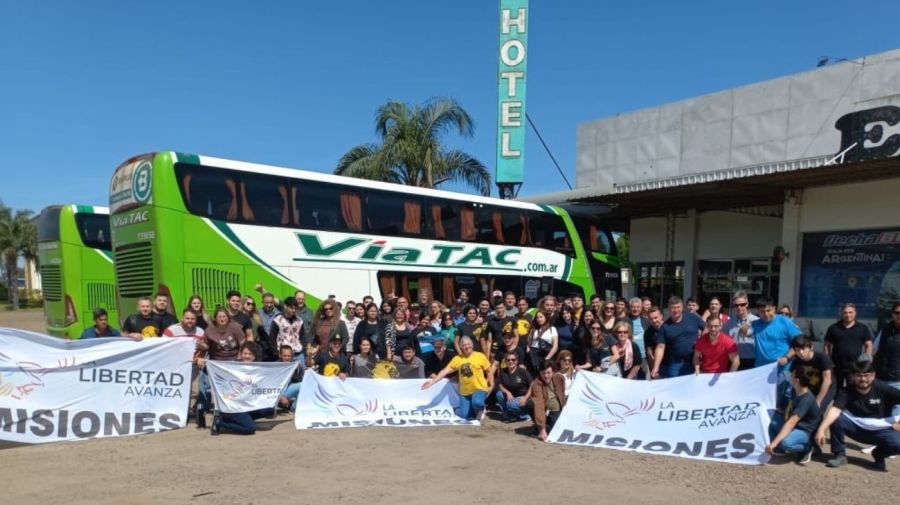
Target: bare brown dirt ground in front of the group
[[495, 463]]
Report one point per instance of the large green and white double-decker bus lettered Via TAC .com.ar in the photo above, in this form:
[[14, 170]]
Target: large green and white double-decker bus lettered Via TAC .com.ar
[[184, 224]]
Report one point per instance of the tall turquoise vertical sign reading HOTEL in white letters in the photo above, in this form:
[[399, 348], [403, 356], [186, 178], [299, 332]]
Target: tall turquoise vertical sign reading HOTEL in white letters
[[511, 88]]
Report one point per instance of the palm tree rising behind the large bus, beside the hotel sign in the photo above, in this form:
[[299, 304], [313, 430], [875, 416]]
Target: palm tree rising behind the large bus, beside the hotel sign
[[411, 151]]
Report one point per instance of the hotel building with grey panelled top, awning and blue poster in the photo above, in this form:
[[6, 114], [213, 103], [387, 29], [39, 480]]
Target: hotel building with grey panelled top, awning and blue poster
[[788, 187]]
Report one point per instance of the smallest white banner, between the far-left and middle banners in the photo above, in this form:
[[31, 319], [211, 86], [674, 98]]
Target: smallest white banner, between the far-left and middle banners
[[244, 387]]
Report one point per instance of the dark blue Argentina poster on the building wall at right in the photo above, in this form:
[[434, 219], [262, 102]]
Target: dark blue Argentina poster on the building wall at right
[[862, 267]]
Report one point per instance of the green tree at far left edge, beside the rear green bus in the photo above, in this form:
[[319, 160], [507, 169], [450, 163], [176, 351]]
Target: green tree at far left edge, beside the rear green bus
[[18, 237]]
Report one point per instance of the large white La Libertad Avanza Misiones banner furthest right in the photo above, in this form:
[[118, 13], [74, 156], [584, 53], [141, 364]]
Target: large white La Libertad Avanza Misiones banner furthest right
[[721, 417]]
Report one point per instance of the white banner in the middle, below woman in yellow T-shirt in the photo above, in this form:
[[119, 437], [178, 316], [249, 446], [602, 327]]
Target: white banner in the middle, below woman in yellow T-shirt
[[328, 402]]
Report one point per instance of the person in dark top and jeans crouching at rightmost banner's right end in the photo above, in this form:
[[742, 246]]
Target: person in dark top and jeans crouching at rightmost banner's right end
[[794, 435]]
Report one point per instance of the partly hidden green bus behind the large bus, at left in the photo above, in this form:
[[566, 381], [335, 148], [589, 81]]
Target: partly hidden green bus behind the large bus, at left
[[77, 275]]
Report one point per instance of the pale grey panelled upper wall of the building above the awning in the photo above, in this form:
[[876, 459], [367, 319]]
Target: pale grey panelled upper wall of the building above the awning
[[788, 118]]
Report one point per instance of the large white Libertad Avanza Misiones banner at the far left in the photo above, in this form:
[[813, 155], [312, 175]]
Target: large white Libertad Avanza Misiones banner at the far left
[[53, 389]]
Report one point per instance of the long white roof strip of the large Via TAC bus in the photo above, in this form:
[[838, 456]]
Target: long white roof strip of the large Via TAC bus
[[350, 181]]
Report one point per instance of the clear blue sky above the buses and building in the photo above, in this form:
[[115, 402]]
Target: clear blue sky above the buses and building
[[86, 85]]
